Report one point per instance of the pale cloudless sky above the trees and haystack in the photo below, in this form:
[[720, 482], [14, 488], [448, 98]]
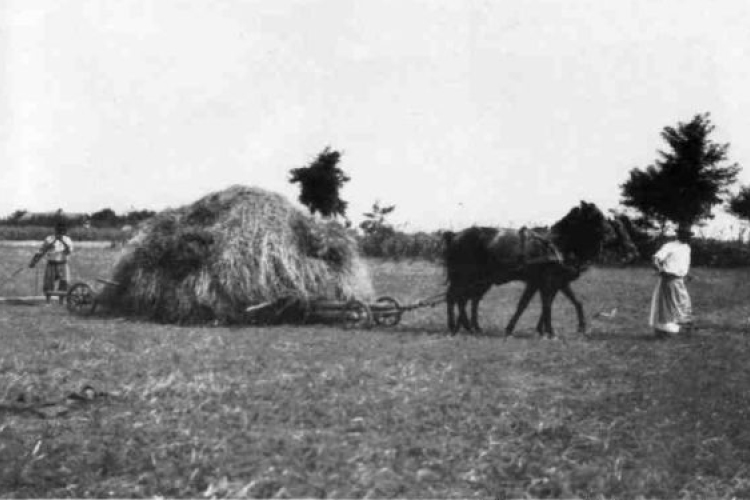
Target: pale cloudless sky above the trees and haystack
[[458, 112]]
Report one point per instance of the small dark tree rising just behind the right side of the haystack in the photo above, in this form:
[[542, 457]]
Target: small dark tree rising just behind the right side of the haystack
[[320, 183]]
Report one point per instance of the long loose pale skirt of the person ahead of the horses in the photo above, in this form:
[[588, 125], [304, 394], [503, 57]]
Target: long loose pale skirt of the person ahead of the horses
[[670, 305]]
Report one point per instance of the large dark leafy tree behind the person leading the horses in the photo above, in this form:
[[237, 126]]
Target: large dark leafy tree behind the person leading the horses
[[686, 182]]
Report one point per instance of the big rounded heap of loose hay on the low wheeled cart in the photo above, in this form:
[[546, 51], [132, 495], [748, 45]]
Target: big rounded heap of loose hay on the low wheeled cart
[[232, 249]]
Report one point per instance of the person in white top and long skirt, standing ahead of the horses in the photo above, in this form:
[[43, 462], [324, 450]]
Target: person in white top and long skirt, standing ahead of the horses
[[670, 304]]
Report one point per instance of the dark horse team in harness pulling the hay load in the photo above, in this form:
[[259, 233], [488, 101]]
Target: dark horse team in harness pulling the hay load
[[546, 260]]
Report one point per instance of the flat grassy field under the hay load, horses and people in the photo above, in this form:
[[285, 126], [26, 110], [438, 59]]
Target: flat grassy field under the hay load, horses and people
[[315, 411]]
